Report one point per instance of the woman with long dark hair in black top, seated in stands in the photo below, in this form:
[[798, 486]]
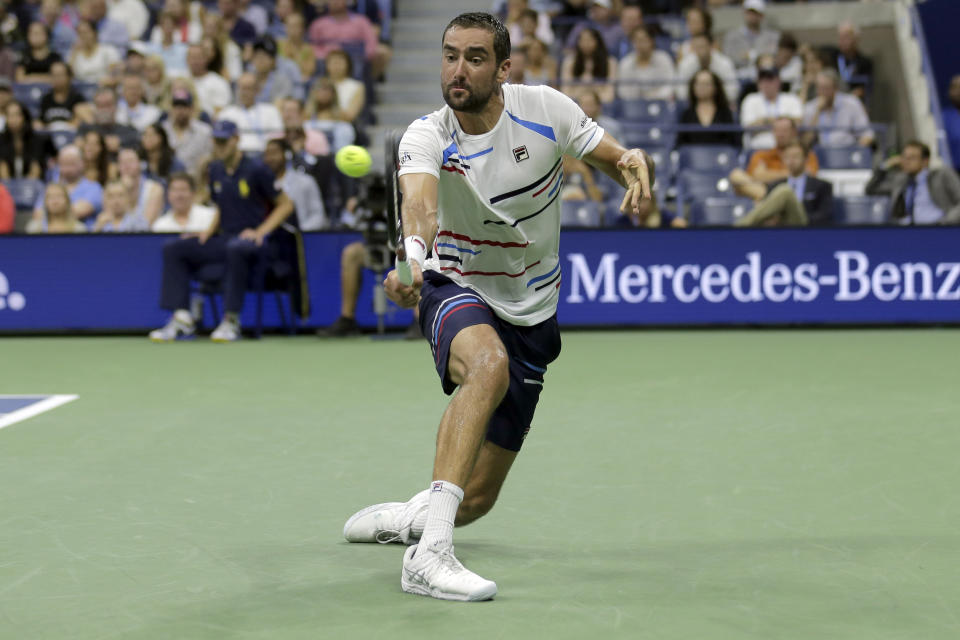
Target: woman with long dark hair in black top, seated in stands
[[708, 107]]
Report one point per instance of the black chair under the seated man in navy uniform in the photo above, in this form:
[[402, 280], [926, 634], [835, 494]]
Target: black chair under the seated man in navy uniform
[[281, 271]]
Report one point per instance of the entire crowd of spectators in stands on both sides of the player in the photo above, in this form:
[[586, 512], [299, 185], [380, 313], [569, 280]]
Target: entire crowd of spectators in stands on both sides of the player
[[96, 95]]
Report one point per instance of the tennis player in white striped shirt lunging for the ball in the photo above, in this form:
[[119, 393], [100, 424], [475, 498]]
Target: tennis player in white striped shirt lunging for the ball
[[481, 181]]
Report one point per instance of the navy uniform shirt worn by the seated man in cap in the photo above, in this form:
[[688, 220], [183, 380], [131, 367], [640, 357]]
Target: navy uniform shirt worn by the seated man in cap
[[246, 197]]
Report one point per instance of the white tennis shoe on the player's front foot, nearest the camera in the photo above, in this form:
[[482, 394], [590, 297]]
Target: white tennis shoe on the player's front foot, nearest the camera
[[439, 574]]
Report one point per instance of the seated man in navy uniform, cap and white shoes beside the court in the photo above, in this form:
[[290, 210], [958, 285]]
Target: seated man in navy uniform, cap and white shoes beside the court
[[249, 208]]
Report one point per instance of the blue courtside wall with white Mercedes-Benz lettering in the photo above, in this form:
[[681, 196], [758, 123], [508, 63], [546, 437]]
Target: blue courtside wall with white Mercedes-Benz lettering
[[609, 278]]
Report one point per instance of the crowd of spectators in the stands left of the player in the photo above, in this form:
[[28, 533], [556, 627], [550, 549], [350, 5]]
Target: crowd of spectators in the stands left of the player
[[113, 103]]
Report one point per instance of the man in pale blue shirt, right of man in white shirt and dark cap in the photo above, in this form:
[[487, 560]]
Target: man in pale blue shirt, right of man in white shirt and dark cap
[[839, 118]]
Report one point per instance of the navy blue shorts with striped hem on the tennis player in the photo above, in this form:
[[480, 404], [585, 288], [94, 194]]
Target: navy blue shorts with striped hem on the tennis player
[[446, 308]]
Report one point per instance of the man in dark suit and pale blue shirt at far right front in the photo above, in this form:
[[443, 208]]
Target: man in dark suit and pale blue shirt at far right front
[[918, 194]]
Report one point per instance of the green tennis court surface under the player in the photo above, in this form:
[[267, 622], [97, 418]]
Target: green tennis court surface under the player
[[676, 484]]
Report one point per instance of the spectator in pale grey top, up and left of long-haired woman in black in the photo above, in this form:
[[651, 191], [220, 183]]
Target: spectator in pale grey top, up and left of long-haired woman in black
[[647, 73]]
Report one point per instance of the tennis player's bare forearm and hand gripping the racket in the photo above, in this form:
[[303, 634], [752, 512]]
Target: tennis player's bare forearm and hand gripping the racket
[[419, 214]]
